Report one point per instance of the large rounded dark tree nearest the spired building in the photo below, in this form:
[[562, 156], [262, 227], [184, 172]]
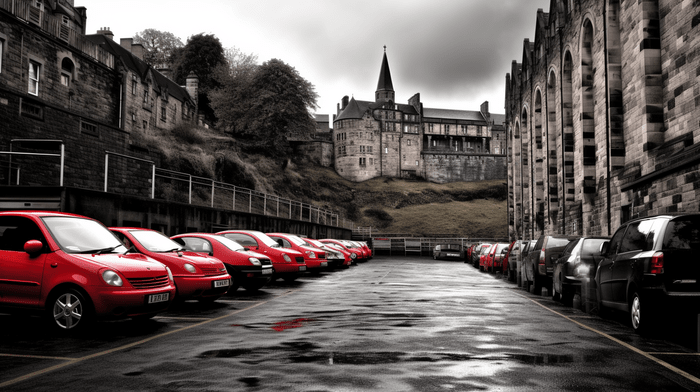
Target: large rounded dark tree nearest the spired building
[[275, 103]]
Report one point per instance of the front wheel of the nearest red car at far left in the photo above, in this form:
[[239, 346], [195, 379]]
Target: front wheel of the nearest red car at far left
[[68, 310]]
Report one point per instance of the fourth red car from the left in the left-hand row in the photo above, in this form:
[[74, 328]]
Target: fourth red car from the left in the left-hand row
[[287, 263]]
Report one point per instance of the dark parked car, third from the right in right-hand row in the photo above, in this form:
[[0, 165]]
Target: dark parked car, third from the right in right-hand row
[[538, 266]]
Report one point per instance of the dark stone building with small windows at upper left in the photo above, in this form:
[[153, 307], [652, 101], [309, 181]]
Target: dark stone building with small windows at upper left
[[61, 87]]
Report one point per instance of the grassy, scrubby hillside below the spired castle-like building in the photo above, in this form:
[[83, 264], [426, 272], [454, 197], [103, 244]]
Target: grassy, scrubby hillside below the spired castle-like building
[[417, 208]]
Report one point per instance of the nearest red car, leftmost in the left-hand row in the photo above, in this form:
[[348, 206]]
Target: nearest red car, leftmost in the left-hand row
[[72, 269]]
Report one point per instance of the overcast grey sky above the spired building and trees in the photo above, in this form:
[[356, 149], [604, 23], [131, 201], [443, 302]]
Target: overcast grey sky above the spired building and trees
[[455, 53]]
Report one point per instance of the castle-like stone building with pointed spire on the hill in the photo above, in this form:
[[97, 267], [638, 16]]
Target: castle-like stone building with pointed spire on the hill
[[382, 138]]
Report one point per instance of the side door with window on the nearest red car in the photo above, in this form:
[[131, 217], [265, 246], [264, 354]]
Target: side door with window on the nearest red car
[[20, 273]]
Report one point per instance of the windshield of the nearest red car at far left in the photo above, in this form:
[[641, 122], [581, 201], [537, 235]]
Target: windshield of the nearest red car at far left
[[80, 235]]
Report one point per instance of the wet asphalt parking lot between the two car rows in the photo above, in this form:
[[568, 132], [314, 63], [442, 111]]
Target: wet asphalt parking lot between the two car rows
[[391, 324]]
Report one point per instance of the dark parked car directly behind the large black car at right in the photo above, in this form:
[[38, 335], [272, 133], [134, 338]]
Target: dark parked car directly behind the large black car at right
[[577, 265]]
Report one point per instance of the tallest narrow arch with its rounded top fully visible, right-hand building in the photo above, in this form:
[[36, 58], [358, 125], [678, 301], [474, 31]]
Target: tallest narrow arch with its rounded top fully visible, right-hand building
[[587, 115]]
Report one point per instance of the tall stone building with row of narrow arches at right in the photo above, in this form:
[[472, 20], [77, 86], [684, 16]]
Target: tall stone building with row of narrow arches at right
[[602, 116]]
